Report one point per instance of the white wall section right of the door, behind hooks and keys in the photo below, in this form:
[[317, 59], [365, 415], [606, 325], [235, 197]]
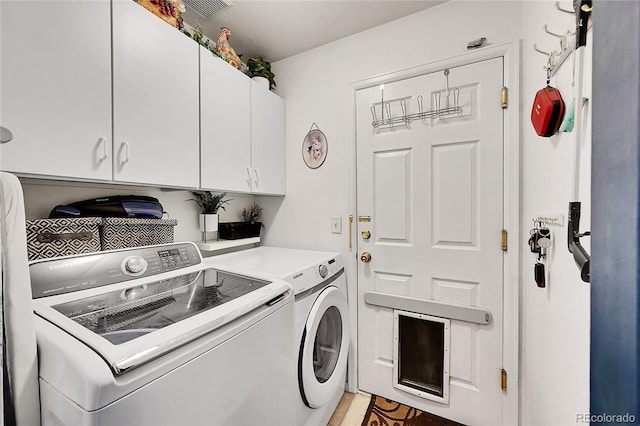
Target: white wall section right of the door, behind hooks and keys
[[554, 321]]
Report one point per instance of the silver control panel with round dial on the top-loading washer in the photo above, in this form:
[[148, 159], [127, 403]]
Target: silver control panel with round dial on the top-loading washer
[[74, 273]]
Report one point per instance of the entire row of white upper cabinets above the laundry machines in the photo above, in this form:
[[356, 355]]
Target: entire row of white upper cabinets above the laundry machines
[[104, 90]]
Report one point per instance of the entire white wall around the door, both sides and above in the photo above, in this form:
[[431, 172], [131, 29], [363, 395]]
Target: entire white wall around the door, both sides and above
[[554, 334]]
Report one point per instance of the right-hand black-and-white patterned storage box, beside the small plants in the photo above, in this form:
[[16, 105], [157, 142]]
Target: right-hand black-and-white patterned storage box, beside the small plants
[[120, 233]]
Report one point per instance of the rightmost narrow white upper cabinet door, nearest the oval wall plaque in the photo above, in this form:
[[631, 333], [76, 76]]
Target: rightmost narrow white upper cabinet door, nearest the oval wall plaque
[[267, 141]]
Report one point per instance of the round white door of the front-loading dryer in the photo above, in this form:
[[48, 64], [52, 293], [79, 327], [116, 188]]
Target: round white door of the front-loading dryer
[[323, 352]]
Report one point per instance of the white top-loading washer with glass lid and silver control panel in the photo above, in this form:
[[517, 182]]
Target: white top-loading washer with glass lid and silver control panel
[[156, 336]]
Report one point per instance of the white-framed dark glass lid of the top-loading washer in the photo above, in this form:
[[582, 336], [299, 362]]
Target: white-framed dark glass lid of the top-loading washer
[[134, 322]]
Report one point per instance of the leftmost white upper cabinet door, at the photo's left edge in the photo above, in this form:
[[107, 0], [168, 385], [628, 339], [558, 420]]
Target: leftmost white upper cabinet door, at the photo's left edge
[[56, 88]]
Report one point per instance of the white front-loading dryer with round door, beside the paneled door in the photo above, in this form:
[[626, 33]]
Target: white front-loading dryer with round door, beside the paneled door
[[321, 321]]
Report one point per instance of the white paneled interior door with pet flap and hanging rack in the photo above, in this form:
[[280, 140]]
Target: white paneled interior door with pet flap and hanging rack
[[433, 189]]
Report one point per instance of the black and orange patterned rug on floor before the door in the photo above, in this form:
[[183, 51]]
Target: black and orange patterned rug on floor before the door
[[385, 412]]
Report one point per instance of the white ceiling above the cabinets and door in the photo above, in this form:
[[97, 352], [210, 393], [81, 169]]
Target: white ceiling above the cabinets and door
[[276, 29]]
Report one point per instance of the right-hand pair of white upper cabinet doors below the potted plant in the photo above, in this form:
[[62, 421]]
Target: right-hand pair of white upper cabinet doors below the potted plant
[[242, 141]]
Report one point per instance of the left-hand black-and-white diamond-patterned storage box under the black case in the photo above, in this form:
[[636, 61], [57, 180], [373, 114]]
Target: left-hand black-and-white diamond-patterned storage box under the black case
[[62, 237]]
